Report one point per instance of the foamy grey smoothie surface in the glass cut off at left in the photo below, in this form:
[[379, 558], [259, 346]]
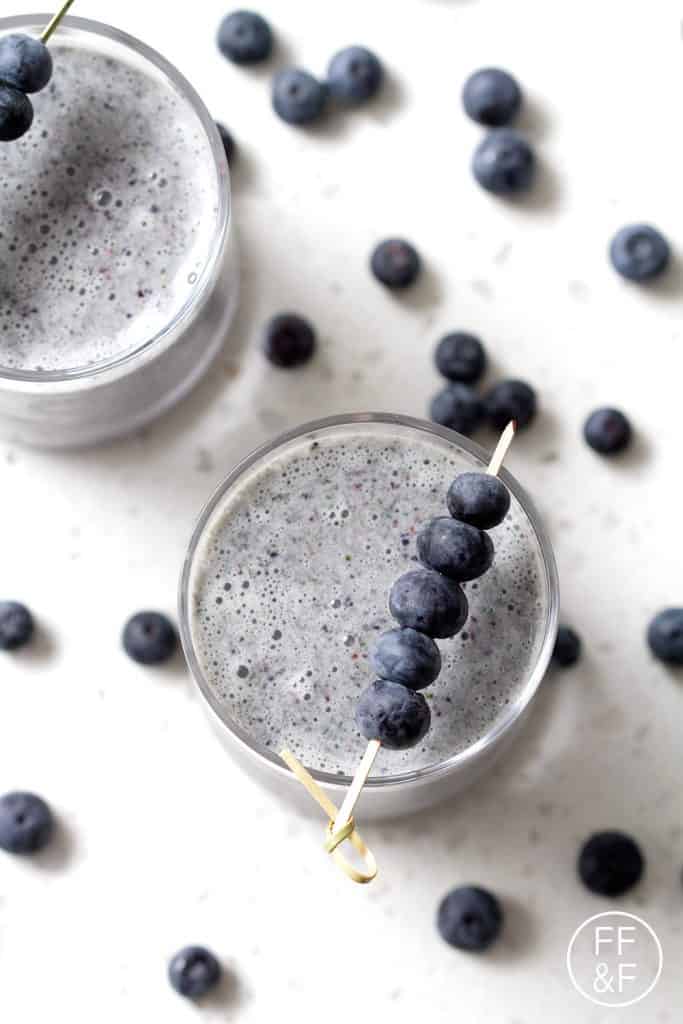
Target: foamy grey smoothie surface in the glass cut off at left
[[109, 208]]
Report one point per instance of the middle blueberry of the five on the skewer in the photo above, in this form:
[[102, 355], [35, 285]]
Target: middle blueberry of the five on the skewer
[[429, 603]]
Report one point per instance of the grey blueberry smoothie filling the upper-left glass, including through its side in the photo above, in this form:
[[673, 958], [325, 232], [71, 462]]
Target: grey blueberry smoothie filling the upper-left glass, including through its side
[[113, 205]]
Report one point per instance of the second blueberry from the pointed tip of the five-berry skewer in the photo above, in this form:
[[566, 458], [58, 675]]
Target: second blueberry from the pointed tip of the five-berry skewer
[[455, 549]]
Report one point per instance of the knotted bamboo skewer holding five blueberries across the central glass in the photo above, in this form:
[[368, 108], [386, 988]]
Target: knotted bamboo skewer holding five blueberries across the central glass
[[341, 825]]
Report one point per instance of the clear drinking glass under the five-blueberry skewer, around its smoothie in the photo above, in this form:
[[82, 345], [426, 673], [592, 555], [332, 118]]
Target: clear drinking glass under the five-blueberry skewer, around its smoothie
[[392, 795]]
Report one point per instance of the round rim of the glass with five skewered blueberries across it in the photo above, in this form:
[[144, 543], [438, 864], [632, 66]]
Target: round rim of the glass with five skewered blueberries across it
[[506, 721]]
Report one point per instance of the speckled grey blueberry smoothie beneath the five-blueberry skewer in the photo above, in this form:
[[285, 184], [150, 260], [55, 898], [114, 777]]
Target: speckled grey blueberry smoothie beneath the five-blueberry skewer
[[288, 592]]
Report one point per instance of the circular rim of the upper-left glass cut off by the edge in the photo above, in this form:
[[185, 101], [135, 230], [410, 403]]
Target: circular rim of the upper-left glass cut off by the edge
[[37, 381]]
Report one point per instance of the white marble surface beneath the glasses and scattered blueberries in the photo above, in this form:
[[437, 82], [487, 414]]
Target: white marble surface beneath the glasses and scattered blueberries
[[163, 841]]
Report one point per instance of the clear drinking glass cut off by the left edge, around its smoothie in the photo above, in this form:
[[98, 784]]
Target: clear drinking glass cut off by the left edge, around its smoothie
[[97, 402]]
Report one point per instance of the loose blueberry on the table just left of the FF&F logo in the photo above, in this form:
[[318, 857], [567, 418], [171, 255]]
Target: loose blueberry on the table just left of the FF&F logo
[[469, 919]]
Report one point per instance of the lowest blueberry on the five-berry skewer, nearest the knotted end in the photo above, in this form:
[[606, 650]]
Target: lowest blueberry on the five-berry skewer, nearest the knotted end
[[394, 714]]
